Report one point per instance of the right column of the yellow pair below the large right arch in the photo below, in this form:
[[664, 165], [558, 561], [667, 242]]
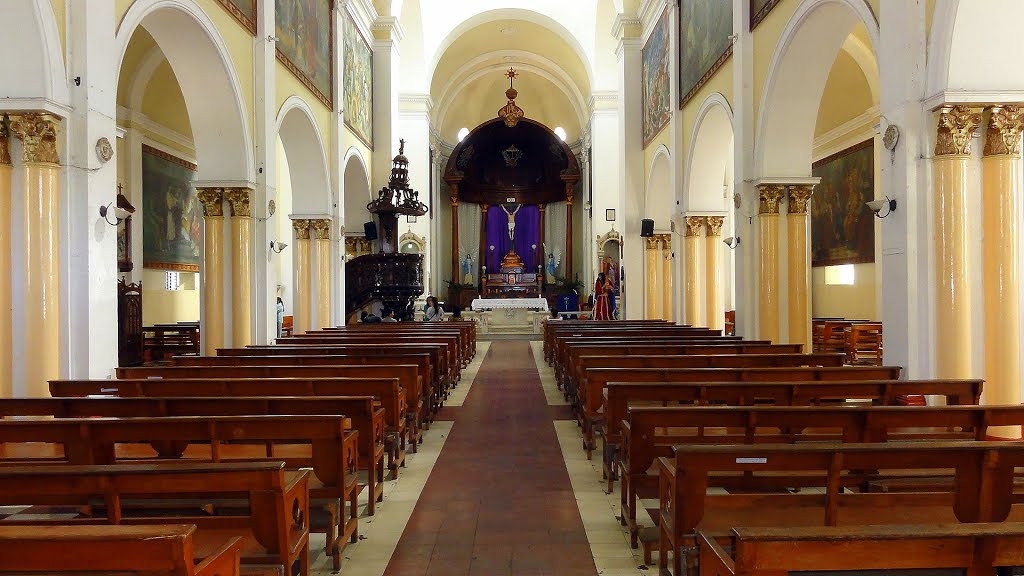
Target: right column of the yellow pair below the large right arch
[[799, 271]]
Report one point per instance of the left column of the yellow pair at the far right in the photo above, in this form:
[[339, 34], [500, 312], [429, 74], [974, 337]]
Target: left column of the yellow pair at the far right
[[953, 295]]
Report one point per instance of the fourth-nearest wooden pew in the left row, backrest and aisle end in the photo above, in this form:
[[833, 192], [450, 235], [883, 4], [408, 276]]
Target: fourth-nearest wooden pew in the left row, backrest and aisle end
[[365, 413]]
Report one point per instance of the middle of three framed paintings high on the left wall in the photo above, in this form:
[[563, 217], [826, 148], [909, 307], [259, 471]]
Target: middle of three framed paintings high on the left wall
[[306, 44]]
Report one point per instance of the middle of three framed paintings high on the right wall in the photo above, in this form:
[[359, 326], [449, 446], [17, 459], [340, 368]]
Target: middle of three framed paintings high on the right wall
[[705, 44]]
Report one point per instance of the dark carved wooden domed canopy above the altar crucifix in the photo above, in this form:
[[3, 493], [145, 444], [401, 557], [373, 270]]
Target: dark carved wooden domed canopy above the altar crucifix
[[495, 163]]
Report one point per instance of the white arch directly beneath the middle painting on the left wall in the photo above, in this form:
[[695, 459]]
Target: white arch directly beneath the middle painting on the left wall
[[307, 158]]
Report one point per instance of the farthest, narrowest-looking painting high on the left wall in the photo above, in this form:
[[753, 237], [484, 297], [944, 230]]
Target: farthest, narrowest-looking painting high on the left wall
[[359, 84]]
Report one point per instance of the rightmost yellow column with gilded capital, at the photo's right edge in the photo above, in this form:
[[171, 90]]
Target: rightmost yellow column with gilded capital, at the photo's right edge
[[1002, 197]]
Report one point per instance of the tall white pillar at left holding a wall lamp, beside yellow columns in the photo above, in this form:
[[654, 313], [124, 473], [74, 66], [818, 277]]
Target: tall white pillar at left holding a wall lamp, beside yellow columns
[[90, 281]]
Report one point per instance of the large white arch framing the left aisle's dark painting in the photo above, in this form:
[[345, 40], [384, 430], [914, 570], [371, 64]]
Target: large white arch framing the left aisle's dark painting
[[193, 46]]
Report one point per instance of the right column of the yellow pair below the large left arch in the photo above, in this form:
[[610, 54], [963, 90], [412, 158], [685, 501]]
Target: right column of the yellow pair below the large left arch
[[242, 265]]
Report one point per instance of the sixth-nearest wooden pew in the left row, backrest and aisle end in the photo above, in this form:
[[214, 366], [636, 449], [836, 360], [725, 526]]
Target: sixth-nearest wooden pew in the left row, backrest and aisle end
[[408, 376]]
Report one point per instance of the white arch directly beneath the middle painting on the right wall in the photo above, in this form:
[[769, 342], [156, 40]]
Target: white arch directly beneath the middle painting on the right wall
[[710, 156]]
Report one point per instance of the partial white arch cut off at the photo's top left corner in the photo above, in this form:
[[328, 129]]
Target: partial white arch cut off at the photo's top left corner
[[36, 70]]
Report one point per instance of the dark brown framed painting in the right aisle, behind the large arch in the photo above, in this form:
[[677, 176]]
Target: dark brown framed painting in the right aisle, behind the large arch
[[842, 225]]
